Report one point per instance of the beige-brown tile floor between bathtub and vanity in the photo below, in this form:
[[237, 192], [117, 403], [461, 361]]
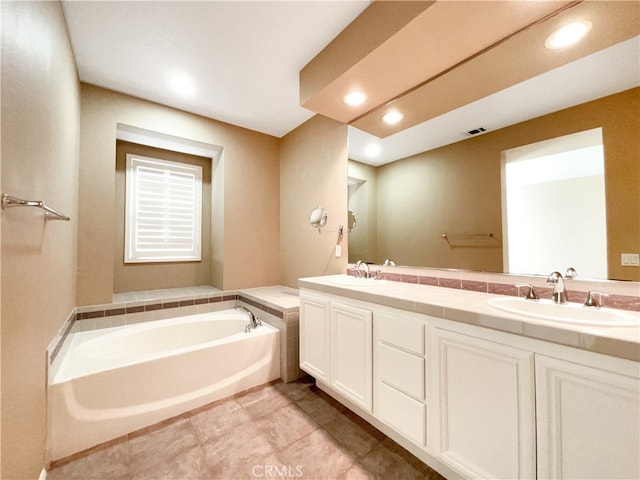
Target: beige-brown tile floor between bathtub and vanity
[[281, 430]]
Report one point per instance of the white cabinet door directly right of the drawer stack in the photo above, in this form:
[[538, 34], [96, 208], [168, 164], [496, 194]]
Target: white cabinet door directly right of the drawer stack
[[481, 417]]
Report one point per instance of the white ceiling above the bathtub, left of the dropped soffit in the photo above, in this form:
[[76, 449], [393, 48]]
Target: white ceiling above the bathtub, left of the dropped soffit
[[243, 56]]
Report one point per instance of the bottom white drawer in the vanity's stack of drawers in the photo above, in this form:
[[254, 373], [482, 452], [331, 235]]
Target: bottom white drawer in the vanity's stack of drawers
[[403, 413]]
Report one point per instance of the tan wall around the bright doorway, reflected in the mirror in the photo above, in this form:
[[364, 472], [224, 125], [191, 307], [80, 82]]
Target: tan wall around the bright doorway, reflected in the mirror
[[456, 189]]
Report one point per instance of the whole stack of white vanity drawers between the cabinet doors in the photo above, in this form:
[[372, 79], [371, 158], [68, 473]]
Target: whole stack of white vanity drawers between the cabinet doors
[[399, 372]]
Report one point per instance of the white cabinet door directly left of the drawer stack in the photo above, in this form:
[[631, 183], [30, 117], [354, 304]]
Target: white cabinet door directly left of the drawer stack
[[351, 359]]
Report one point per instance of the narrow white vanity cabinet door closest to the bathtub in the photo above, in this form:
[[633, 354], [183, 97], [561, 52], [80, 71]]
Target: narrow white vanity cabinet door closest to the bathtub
[[314, 337]]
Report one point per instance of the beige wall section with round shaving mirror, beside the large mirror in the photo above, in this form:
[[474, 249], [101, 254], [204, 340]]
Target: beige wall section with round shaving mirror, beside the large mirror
[[313, 172]]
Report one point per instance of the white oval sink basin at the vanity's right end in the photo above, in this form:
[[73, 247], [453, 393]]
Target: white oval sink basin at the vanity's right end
[[568, 312]]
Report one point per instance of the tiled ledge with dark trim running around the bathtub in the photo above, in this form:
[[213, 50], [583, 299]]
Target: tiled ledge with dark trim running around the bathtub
[[277, 305]]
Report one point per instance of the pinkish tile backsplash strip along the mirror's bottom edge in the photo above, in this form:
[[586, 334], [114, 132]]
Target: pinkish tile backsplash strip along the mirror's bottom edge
[[622, 295]]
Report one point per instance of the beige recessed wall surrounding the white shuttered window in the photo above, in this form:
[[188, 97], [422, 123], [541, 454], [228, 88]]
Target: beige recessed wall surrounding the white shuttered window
[[134, 277]]
